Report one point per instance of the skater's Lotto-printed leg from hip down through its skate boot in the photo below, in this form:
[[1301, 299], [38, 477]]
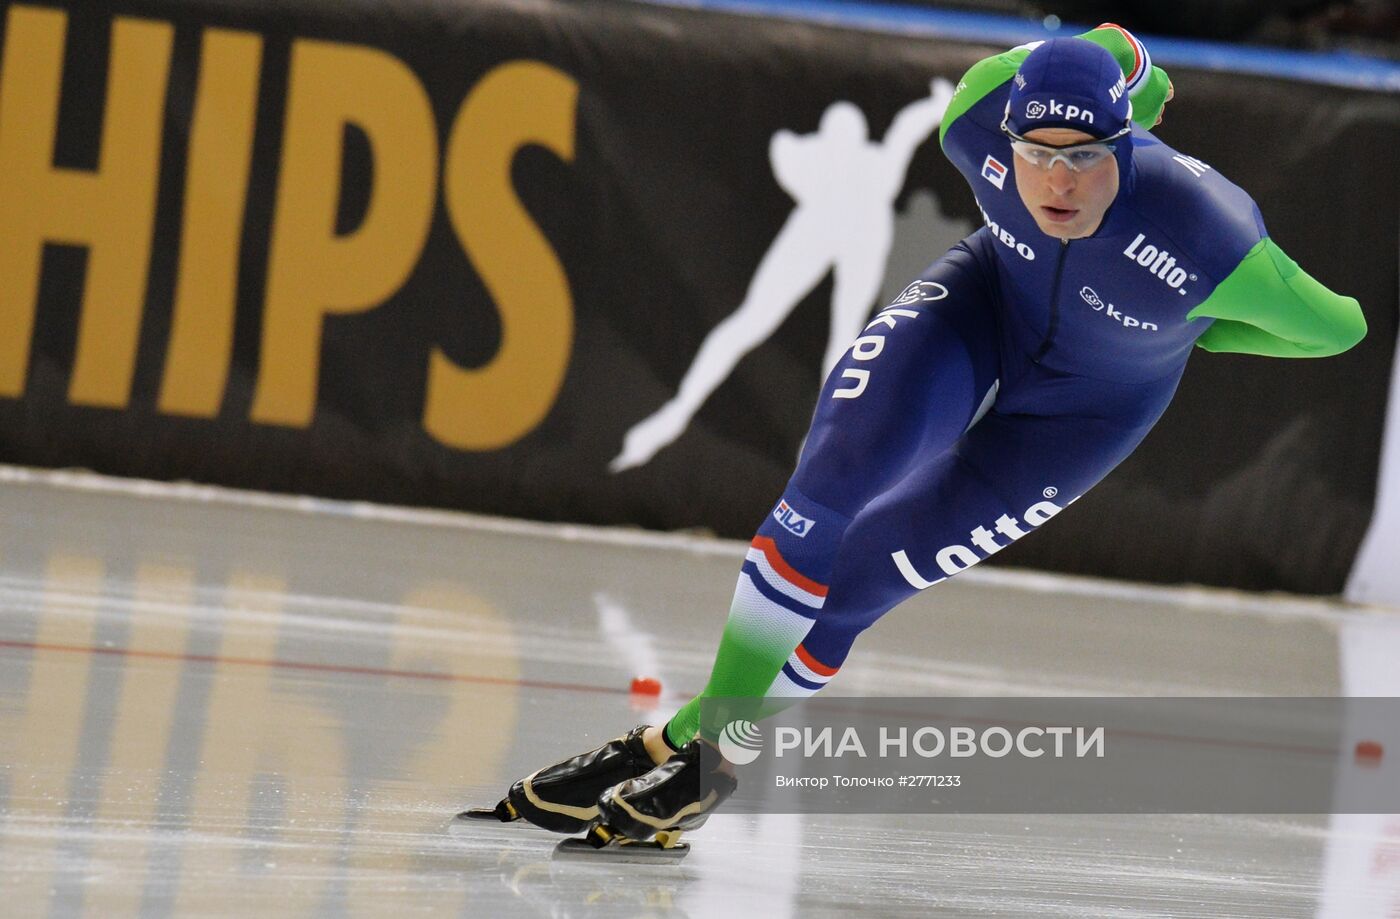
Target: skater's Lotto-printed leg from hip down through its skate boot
[[1007, 477]]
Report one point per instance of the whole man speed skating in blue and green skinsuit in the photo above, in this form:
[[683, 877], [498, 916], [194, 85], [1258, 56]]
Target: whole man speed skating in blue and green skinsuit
[[993, 393]]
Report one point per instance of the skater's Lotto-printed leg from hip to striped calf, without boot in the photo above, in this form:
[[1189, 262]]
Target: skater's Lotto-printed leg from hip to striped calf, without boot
[[1006, 478]]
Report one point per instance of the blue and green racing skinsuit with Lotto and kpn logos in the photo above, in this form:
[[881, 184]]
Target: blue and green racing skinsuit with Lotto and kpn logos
[[1006, 383]]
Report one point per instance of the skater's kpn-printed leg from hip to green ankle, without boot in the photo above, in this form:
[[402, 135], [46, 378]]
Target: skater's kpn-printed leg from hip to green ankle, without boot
[[919, 373]]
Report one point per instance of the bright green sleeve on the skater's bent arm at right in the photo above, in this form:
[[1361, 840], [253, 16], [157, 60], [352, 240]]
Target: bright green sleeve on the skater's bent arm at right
[[1272, 308]]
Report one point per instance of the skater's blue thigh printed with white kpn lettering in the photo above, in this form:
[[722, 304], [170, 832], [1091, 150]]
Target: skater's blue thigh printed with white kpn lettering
[[913, 380]]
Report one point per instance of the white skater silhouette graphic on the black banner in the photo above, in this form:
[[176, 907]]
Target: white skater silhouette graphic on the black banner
[[845, 187]]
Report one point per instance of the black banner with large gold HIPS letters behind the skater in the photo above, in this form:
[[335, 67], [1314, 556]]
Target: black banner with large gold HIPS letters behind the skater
[[453, 254]]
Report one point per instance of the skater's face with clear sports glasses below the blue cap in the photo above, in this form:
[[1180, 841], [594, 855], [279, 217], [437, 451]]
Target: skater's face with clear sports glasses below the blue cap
[[1066, 204]]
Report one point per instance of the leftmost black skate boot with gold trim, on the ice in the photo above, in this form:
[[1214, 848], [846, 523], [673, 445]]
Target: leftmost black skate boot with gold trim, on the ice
[[565, 798]]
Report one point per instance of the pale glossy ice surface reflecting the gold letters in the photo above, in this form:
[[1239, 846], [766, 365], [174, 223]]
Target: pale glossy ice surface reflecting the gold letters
[[257, 711]]
